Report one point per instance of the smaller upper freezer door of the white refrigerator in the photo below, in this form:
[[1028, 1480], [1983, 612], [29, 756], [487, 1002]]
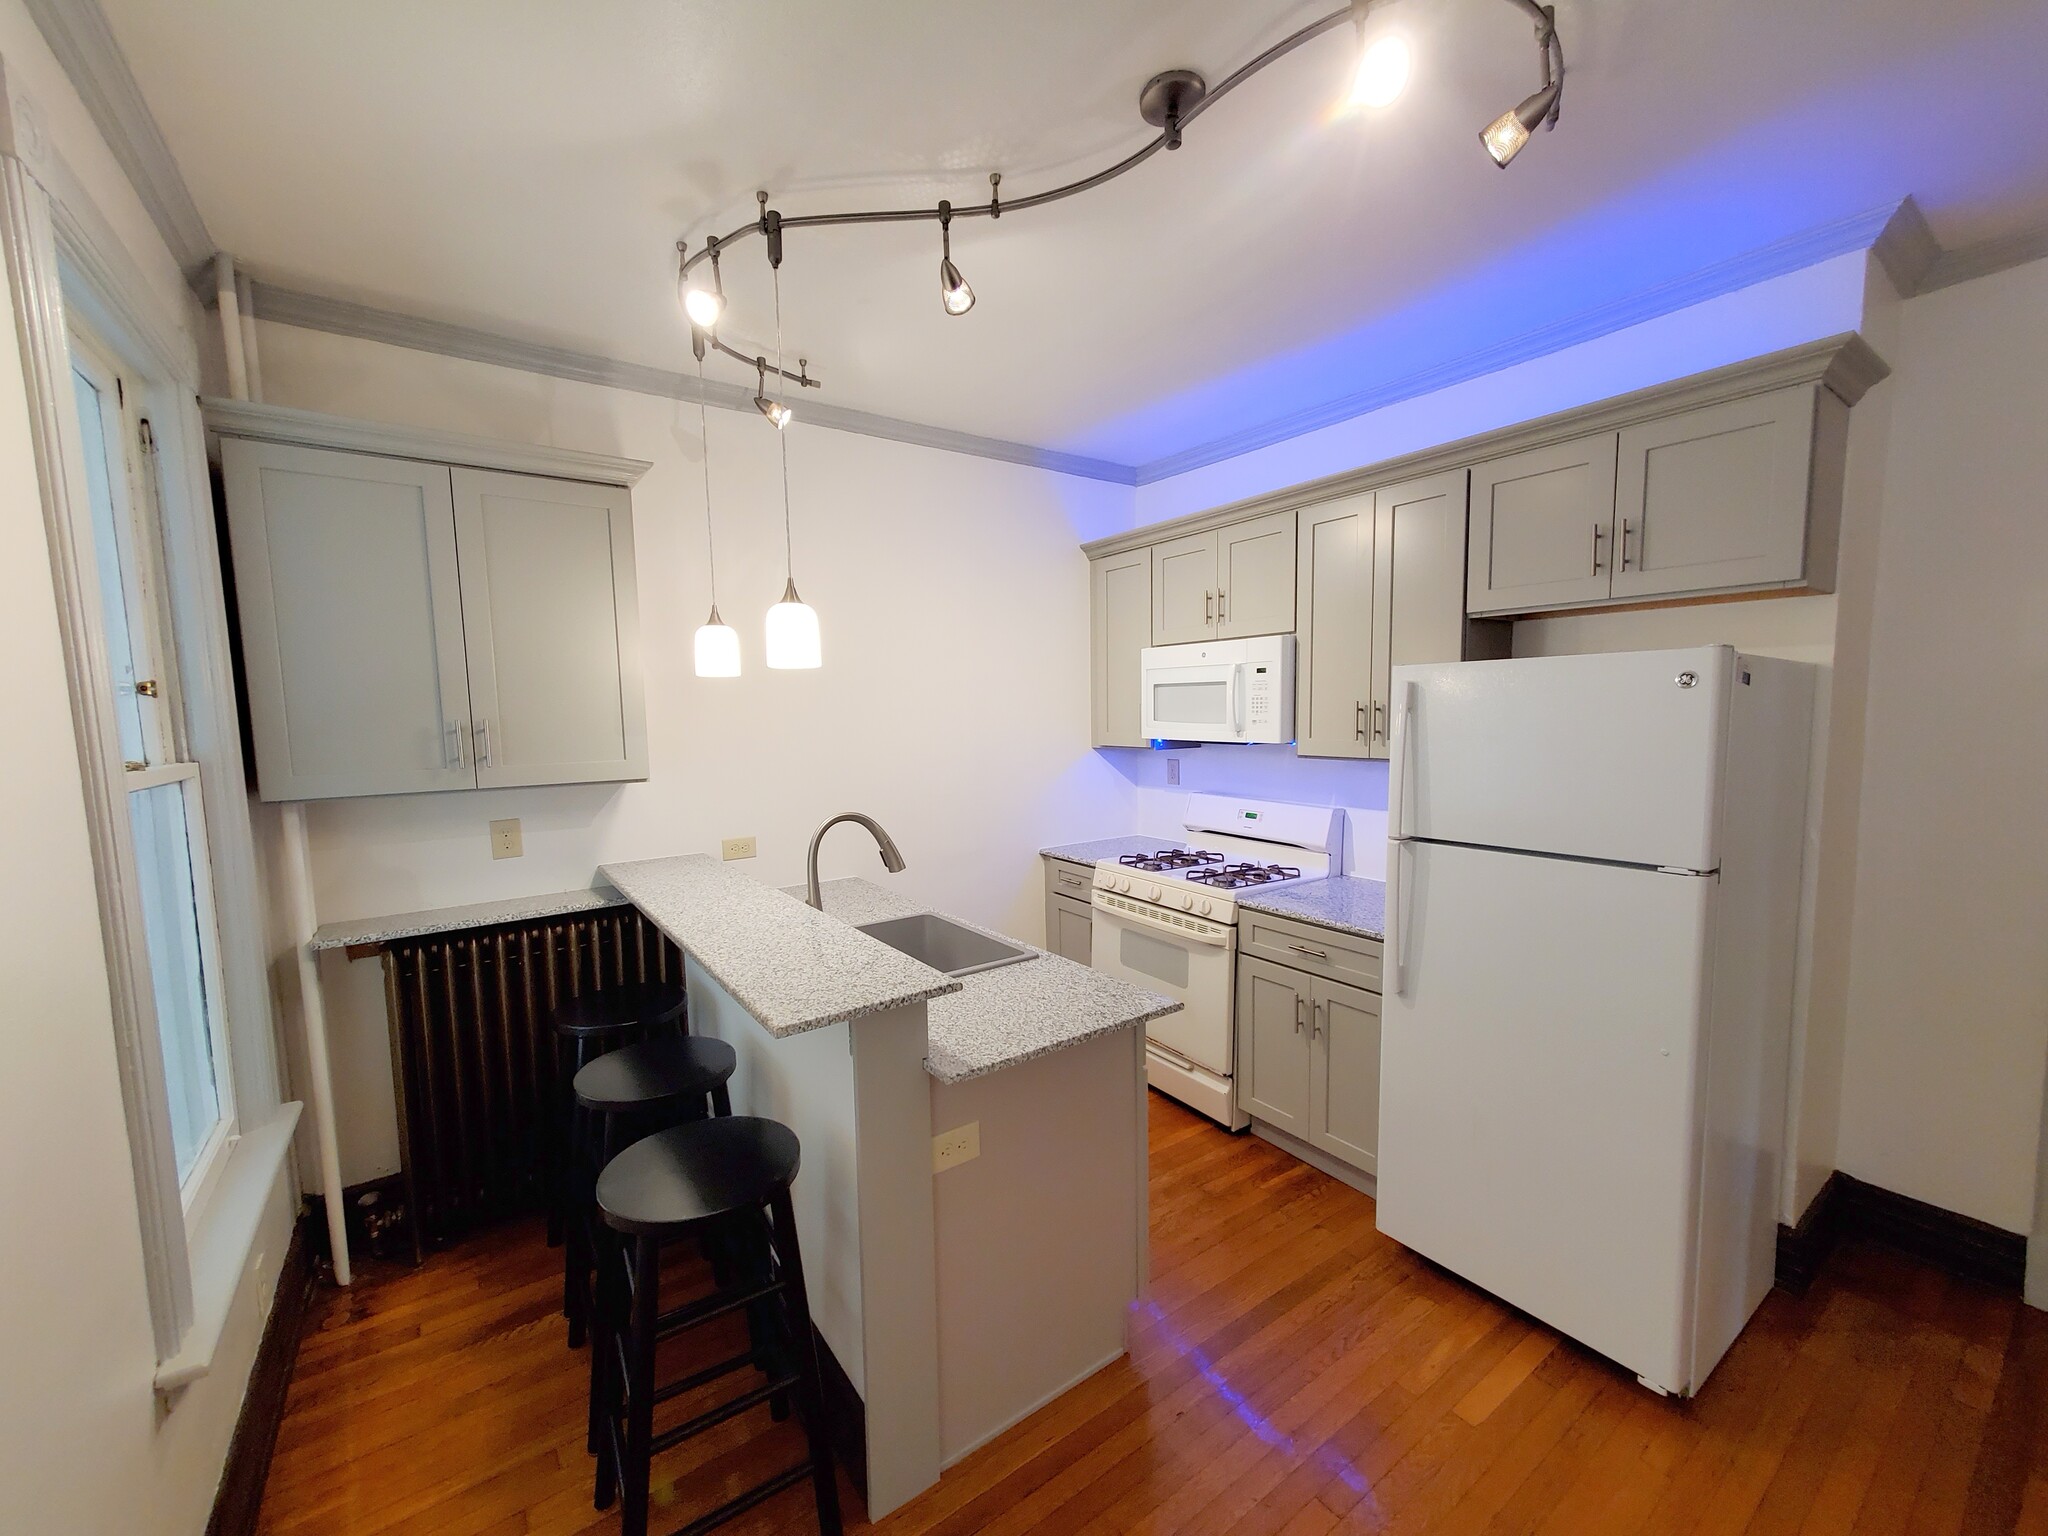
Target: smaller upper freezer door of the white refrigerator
[[1592, 757]]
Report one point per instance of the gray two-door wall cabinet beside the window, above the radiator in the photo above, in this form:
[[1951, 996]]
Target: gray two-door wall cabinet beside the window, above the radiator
[[409, 626]]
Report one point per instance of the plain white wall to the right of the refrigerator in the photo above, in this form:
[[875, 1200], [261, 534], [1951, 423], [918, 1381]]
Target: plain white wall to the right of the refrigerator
[[1949, 996]]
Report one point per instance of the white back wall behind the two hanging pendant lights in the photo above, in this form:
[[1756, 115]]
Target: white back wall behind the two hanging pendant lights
[[953, 701]]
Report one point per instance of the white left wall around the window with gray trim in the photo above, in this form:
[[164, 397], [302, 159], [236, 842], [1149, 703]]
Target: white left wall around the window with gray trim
[[85, 1445]]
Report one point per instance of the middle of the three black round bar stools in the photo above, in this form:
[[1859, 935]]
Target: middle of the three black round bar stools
[[620, 1099]]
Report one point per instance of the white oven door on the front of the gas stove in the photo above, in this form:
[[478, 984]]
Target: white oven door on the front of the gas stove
[[1187, 959]]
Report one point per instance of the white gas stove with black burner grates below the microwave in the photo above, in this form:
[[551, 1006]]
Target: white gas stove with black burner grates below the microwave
[[1168, 923]]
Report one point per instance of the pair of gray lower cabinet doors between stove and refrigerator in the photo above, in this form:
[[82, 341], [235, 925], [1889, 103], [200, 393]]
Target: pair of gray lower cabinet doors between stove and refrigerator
[[1310, 1060]]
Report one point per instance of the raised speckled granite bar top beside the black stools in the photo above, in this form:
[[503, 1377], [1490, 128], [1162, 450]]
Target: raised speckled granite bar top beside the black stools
[[792, 968]]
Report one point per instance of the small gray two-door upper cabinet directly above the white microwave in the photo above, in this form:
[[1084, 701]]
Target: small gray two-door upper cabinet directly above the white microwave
[[1226, 583]]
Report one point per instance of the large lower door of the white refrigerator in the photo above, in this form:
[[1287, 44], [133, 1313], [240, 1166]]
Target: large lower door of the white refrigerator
[[1539, 1091]]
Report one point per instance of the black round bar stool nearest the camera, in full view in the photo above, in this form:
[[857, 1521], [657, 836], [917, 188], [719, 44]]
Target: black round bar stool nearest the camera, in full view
[[730, 1177]]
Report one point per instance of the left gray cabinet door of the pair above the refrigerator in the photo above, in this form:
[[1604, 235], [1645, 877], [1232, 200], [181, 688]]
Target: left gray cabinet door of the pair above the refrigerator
[[1543, 527]]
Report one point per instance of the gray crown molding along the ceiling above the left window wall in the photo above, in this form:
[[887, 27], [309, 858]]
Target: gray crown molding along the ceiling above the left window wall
[[89, 54]]
